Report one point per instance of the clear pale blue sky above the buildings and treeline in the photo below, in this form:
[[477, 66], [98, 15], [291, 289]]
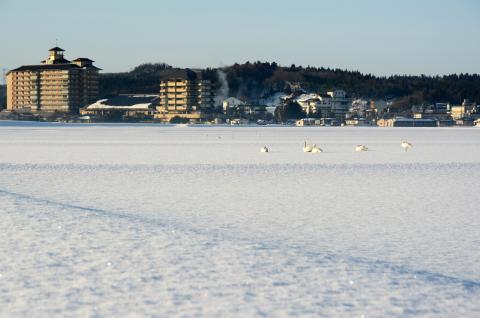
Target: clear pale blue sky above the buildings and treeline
[[382, 37]]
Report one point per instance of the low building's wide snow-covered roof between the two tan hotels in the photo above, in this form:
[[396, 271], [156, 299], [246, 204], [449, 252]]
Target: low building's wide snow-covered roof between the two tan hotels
[[126, 102]]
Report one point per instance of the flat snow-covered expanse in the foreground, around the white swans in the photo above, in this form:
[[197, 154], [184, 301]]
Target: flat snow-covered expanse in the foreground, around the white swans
[[141, 220]]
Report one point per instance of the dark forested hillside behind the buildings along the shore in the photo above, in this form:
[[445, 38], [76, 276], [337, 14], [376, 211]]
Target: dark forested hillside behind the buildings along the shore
[[255, 81]]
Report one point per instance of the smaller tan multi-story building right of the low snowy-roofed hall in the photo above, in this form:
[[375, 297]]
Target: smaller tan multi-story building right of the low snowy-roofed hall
[[185, 94]]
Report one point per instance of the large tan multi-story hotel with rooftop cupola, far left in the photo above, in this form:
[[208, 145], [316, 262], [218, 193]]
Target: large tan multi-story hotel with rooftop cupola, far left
[[55, 85]]
